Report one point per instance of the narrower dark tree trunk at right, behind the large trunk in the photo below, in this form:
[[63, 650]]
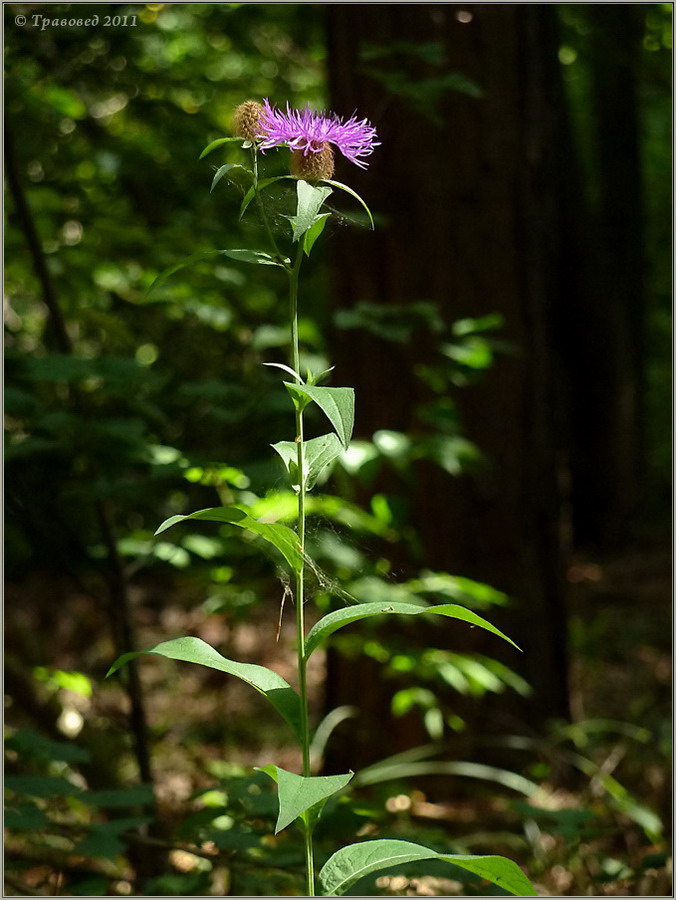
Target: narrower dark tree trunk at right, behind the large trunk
[[607, 358]]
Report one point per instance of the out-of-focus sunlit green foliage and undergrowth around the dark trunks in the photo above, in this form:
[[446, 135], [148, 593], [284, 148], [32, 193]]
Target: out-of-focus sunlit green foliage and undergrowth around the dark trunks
[[164, 407]]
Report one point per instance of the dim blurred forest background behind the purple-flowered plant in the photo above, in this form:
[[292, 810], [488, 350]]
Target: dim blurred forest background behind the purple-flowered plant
[[507, 331]]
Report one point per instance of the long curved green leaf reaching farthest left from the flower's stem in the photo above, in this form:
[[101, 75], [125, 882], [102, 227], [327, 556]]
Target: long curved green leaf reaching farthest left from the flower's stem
[[191, 649]]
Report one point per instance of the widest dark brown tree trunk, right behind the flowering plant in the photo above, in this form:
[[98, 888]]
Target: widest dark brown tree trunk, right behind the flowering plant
[[472, 191]]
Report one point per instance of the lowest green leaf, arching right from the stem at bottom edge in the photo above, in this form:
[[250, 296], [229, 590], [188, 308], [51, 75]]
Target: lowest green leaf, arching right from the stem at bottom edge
[[355, 861]]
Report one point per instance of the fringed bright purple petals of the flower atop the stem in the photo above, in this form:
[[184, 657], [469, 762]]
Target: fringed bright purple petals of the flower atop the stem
[[311, 132]]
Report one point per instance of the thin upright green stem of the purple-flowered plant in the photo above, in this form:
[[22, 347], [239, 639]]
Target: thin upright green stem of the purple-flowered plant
[[300, 575]]
